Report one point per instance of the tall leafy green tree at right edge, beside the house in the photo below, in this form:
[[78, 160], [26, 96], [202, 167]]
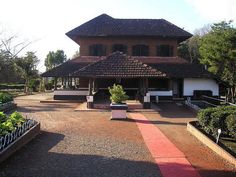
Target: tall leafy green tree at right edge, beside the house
[[218, 53]]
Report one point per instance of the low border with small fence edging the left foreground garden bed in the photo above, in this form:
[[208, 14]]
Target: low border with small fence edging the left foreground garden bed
[[13, 141]]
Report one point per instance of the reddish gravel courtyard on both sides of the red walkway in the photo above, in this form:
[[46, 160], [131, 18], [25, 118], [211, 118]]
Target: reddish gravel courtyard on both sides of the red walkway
[[88, 144]]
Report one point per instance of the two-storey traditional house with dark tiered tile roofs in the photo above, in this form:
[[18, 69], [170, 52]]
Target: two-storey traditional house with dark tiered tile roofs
[[140, 54]]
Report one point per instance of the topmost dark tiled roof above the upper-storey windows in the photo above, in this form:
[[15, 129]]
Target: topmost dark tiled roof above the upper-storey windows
[[105, 25]]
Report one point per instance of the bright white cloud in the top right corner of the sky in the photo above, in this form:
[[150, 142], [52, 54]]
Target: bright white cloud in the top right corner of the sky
[[215, 10]]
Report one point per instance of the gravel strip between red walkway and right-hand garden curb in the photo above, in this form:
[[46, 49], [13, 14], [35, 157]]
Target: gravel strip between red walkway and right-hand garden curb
[[172, 119]]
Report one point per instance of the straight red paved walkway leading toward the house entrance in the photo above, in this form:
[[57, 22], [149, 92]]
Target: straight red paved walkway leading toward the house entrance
[[171, 161]]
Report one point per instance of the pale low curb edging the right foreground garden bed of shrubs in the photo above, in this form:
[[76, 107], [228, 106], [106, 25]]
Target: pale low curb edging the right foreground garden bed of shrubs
[[221, 149]]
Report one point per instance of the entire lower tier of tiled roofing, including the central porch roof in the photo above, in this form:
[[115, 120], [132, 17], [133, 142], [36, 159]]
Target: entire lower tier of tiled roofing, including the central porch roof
[[171, 66]]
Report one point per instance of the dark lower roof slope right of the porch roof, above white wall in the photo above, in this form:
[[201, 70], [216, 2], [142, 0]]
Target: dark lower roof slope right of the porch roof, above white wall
[[182, 70]]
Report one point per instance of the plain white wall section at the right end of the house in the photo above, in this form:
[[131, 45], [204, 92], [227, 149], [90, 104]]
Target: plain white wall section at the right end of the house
[[191, 84]]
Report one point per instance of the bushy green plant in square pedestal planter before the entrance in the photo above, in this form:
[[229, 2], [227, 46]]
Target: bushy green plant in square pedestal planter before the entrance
[[118, 107]]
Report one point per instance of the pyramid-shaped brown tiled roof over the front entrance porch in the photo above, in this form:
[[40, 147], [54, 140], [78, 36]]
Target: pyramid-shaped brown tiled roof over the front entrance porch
[[118, 65]]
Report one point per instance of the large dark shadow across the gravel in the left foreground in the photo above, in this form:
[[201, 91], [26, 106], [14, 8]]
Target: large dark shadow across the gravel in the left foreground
[[35, 159]]
